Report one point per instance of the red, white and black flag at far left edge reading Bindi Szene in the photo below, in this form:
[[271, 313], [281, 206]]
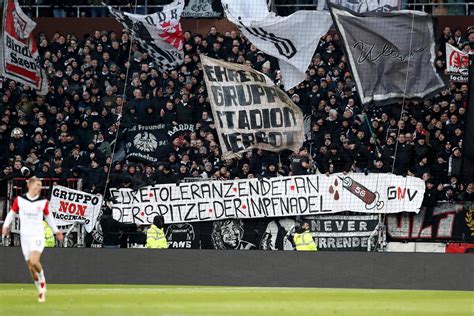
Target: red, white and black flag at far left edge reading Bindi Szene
[[19, 57]]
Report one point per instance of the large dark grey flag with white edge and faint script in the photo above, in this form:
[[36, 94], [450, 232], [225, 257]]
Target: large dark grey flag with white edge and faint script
[[391, 55]]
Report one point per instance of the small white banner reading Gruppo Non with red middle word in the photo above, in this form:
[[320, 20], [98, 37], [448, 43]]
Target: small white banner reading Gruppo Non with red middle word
[[71, 206]]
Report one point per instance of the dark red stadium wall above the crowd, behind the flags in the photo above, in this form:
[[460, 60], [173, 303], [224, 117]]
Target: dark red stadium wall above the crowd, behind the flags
[[81, 26]]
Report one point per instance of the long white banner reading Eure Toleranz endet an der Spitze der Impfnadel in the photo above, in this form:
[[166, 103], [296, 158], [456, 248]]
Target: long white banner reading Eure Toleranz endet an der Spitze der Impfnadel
[[275, 197]]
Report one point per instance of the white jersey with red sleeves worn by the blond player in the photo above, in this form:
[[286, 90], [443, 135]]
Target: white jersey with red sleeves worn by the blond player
[[31, 214]]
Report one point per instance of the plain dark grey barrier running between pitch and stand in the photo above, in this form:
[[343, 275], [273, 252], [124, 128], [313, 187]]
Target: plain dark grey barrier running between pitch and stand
[[247, 268]]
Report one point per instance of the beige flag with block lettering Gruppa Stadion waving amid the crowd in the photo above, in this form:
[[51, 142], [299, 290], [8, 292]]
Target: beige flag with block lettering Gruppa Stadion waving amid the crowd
[[250, 110]]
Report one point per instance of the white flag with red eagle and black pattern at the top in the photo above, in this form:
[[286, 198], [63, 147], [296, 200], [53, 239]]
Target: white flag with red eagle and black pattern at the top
[[159, 33]]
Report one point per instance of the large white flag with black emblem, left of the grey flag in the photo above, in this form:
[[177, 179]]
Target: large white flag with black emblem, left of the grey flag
[[292, 39]]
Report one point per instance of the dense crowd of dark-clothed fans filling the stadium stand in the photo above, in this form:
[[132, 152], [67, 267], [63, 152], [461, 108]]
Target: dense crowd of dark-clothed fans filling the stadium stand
[[71, 132]]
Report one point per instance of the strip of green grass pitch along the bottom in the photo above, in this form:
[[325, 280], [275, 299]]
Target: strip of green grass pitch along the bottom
[[91, 300]]
